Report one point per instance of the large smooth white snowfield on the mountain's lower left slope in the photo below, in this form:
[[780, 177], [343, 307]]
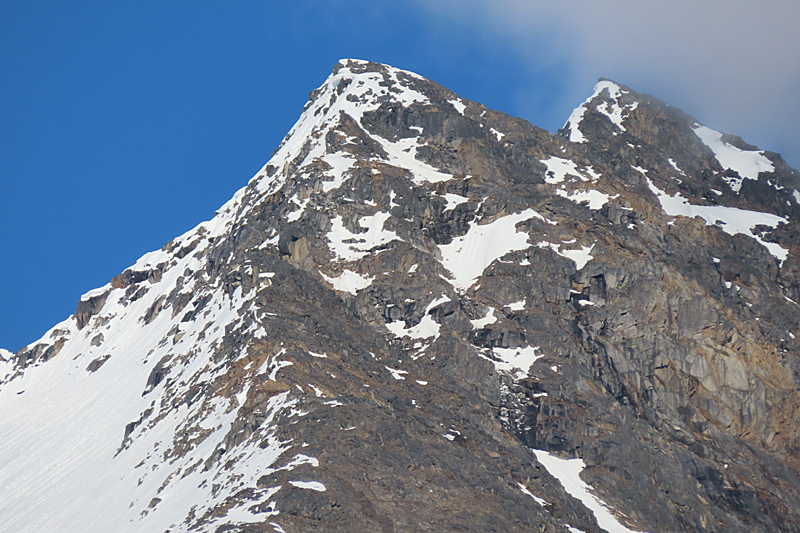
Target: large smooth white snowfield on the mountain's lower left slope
[[80, 453]]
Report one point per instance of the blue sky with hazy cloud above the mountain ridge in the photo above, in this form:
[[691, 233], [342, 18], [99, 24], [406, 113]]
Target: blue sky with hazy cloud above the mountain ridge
[[122, 125]]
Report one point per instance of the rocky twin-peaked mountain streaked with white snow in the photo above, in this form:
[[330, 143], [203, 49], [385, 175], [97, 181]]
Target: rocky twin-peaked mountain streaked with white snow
[[425, 315]]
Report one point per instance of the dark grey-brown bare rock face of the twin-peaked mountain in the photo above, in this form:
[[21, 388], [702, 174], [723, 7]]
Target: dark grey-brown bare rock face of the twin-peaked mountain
[[669, 361]]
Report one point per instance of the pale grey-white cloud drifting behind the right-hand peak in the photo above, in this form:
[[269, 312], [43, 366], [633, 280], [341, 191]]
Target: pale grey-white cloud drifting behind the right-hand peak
[[734, 64]]
